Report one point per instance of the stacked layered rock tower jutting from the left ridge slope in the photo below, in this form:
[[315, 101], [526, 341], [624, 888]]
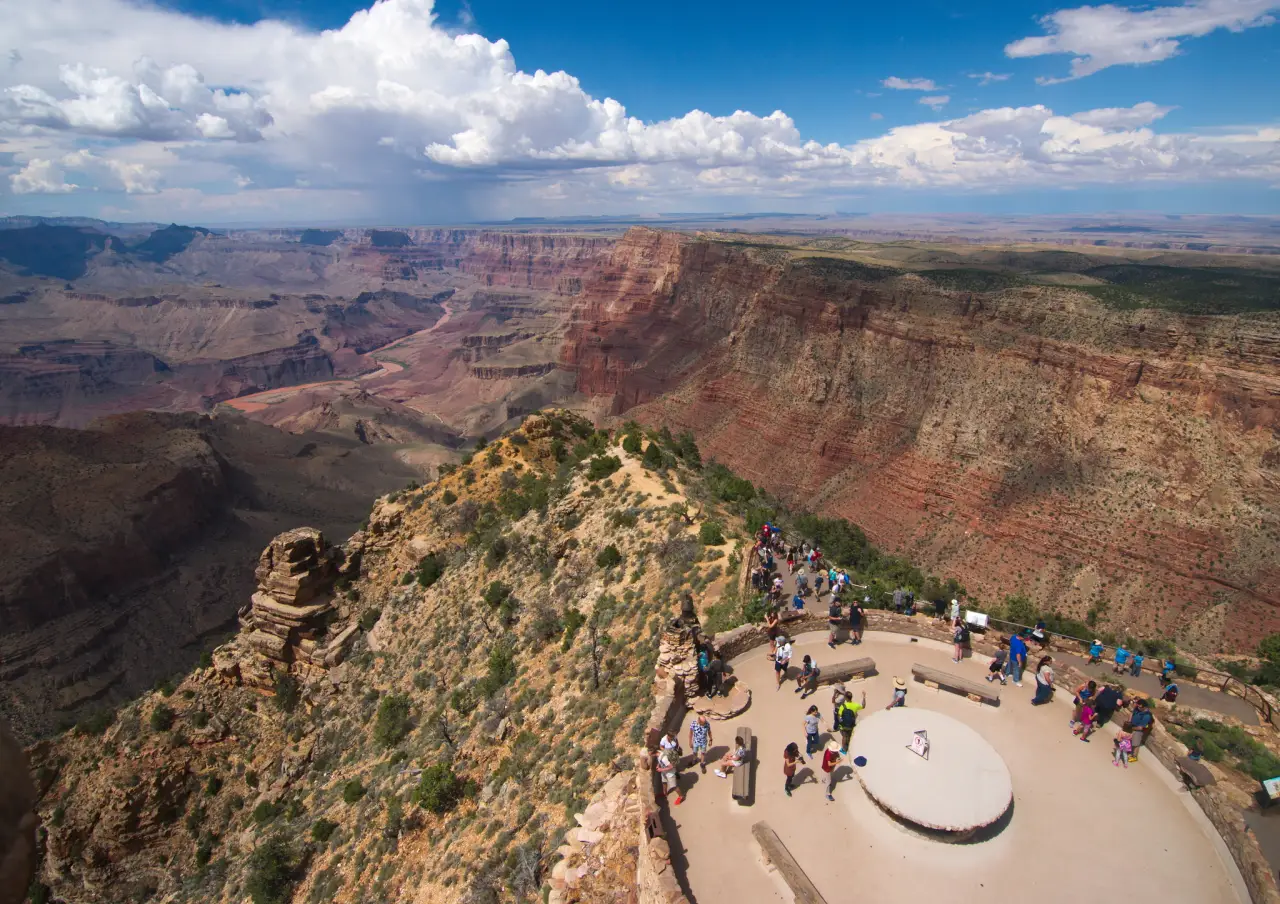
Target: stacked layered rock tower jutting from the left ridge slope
[[294, 622]]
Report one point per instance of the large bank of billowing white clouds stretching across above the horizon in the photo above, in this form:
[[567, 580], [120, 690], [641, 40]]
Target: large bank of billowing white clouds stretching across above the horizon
[[395, 117]]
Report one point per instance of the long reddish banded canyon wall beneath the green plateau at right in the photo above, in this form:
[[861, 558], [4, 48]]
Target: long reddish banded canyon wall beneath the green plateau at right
[[1023, 440]]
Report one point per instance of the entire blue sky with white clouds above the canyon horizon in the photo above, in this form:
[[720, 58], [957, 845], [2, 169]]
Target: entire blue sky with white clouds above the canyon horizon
[[467, 133]]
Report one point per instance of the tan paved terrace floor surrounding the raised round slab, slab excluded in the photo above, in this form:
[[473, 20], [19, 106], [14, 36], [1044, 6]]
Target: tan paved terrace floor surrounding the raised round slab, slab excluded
[[1080, 825]]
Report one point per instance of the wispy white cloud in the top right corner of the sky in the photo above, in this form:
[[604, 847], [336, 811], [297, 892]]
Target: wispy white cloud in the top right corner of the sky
[[1104, 36]]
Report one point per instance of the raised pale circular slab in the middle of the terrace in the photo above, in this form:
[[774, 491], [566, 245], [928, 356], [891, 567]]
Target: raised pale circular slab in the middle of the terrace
[[958, 788]]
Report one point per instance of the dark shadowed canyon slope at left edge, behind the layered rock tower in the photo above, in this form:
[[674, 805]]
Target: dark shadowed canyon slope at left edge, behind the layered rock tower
[[131, 546]]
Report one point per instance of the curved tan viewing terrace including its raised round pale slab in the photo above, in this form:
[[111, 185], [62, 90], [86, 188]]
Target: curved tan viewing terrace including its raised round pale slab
[[1063, 823]]
